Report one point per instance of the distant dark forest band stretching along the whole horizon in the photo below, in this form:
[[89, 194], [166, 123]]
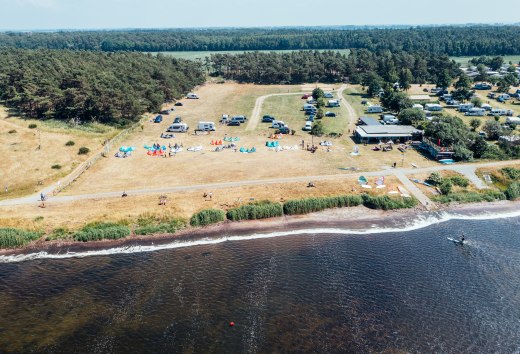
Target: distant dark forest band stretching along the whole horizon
[[450, 40]]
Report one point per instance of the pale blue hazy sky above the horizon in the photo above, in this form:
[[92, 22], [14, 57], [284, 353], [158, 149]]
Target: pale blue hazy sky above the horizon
[[105, 14]]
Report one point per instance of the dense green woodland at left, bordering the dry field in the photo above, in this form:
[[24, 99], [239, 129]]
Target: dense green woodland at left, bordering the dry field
[[114, 88]]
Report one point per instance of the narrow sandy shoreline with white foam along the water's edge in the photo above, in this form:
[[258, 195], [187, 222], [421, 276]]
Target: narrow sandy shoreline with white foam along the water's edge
[[354, 219]]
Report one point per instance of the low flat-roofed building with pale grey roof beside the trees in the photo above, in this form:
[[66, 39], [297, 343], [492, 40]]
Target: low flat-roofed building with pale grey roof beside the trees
[[376, 133]]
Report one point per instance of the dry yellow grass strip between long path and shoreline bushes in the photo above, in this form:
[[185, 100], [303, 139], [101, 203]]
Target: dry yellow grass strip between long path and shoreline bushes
[[182, 204]]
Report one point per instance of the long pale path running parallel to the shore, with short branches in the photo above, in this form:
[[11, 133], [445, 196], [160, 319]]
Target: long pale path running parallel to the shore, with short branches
[[399, 172]]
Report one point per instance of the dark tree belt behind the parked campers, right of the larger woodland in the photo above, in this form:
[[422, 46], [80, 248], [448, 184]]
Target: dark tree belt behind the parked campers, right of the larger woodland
[[361, 66]]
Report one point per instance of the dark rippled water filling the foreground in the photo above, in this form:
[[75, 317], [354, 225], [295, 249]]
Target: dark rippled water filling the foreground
[[410, 291]]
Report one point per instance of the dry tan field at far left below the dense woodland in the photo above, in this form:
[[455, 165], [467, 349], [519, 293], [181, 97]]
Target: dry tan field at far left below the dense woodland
[[27, 168]]
